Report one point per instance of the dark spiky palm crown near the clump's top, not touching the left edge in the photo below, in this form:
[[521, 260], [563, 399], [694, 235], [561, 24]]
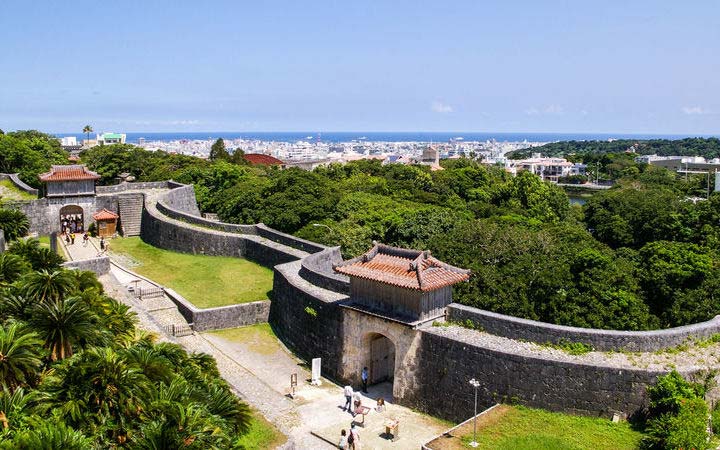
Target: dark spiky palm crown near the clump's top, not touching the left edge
[[63, 323]]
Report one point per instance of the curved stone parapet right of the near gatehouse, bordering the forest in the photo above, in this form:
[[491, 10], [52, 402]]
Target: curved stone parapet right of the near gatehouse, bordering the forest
[[603, 340]]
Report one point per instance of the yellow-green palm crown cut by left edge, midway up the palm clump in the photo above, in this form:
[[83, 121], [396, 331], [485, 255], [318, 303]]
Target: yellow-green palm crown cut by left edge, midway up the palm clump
[[20, 352]]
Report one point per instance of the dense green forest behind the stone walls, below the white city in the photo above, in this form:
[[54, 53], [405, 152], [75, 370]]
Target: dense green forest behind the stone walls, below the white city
[[638, 256]]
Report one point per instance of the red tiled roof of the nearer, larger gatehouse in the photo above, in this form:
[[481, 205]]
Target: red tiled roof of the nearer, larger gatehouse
[[405, 268]]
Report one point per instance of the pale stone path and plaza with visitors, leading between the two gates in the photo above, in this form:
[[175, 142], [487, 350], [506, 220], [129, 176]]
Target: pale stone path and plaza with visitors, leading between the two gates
[[260, 375]]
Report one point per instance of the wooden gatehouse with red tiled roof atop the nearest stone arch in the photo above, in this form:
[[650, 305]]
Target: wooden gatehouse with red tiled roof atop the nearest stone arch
[[407, 285]]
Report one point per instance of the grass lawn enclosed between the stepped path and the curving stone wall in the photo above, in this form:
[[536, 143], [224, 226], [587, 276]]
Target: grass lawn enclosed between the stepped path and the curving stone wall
[[206, 281]]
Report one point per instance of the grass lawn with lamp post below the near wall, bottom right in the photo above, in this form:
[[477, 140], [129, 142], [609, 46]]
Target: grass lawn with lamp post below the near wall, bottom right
[[519, 428]]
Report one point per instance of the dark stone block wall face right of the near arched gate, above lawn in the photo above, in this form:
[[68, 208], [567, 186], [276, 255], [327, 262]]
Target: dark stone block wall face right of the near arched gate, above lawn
[[446, 366]]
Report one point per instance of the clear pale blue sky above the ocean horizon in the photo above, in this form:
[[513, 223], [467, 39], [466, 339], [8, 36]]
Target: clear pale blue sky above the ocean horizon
[[484, 65]]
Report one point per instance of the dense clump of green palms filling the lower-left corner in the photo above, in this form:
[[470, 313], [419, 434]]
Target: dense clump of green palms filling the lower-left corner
[[76, 373]]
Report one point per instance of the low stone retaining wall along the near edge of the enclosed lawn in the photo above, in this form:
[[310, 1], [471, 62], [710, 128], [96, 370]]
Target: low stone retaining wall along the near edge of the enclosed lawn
[[222, 317]]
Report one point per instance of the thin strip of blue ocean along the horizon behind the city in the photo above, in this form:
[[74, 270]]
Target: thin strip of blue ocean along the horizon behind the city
[[346, 136]]
